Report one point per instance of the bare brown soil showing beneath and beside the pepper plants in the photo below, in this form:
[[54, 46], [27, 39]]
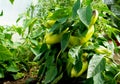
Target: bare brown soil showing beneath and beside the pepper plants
[[32, 75]]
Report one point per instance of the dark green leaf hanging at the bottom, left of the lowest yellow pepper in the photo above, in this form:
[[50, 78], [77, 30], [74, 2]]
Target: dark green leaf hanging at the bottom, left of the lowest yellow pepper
[[50, 74]]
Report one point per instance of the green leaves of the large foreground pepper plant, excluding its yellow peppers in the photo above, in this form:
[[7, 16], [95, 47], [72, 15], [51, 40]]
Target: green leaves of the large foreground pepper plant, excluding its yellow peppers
[[64, 57]]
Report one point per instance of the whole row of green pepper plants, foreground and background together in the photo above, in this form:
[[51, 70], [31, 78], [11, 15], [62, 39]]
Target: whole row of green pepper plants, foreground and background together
[[69, 41]]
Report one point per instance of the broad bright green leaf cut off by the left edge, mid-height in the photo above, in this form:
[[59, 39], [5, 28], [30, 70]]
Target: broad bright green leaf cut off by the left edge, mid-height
[[5, 54]]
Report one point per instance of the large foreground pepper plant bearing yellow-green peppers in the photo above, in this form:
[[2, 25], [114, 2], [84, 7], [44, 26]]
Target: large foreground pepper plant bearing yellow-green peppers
[[60, 61]]
